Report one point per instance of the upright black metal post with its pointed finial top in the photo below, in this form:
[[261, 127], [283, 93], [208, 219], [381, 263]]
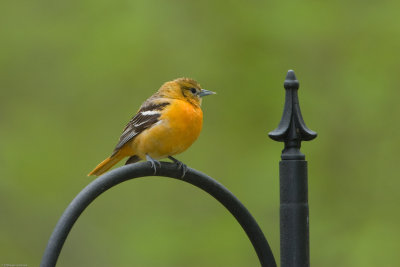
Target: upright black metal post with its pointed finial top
[[294, 221]]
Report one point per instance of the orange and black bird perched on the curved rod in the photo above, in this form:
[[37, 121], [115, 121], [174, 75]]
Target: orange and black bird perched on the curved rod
[[166, 124]]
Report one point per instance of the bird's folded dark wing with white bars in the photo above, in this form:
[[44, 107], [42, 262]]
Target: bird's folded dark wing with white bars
[[146, 117]]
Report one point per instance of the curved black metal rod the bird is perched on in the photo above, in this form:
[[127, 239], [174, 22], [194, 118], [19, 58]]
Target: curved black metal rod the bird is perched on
[[141, 169]]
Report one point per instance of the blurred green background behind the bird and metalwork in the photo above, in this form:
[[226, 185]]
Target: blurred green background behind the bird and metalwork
[[73, 73]]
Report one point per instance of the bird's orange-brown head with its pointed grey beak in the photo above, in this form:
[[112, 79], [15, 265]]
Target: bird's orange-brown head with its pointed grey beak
[[185, 89]]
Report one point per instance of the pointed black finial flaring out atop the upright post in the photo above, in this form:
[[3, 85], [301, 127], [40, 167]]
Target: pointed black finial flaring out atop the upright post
[[292, 129]]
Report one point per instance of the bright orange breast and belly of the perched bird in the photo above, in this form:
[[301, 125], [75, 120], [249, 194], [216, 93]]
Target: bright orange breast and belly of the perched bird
[[179, 126]]
